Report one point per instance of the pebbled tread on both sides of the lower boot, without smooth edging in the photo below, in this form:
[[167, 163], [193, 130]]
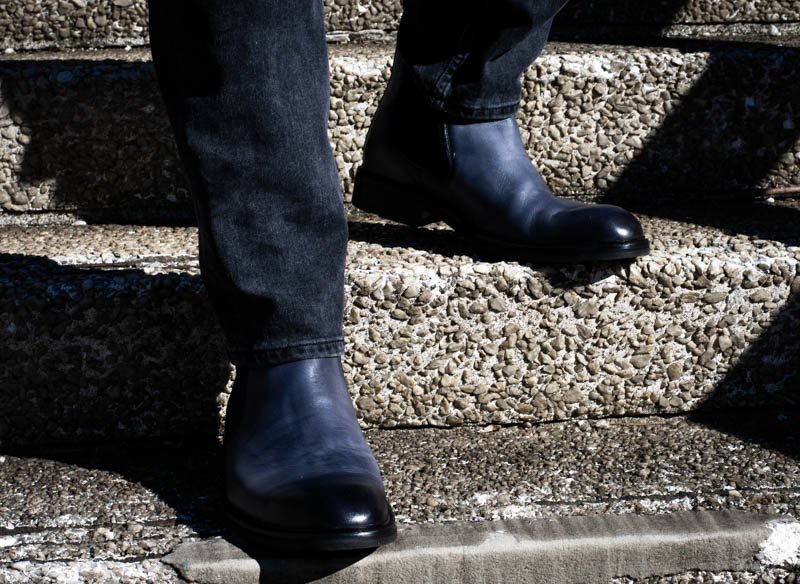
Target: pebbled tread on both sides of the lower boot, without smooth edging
[[134, 502]]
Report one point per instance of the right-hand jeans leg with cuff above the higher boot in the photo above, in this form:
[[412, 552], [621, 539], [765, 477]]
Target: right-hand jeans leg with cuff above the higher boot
[[468, 55]]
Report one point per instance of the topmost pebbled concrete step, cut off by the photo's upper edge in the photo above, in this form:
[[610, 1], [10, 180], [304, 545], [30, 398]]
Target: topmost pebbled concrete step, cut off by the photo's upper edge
[[49, 24]]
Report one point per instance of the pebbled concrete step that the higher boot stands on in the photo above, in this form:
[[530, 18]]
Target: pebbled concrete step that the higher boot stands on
[[106, 330]]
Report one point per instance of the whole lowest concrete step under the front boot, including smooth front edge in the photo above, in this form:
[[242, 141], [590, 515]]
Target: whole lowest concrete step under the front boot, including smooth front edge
[[709, 498]]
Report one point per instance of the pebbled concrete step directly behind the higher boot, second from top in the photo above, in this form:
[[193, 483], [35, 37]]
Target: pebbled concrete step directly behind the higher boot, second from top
[[86, 133]]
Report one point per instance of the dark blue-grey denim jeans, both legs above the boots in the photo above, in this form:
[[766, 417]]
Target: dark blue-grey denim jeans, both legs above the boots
[[245, 84]]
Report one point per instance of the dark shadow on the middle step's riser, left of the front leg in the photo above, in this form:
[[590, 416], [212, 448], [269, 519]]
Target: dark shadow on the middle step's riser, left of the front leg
[[105, 353]]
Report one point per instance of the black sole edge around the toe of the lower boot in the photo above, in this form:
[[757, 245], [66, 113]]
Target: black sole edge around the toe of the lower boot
[[293, 541]]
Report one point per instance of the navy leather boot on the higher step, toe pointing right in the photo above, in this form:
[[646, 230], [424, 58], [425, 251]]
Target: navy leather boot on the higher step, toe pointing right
[[420, 167]]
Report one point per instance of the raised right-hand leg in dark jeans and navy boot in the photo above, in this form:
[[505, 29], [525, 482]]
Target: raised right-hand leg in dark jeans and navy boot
[[444, 144]]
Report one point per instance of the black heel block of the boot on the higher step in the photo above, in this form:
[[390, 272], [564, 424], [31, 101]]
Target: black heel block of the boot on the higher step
[[391, 200]]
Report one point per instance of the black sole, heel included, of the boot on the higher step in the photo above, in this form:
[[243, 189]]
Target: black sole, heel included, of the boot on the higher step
[[416, 207]]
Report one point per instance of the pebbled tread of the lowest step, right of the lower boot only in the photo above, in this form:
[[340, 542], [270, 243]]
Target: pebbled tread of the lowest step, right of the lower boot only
[[593, 467]]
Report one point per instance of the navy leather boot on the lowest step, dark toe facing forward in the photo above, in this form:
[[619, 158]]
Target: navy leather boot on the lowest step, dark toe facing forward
[[300, 475]]
